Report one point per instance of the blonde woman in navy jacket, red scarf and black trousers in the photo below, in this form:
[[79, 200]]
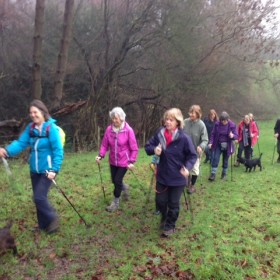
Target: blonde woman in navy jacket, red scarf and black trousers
[[176, 157]]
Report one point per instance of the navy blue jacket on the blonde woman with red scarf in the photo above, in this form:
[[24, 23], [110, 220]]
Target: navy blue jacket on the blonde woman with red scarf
[[180, 152]]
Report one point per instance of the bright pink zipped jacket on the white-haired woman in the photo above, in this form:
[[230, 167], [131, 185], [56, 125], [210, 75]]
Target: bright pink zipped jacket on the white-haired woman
[[122, 146]]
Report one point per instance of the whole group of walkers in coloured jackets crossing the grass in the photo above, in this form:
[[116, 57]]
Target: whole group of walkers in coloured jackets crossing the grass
[[177, 148]]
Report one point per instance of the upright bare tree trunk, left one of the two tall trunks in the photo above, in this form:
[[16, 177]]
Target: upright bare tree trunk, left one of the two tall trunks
[[37, 49]]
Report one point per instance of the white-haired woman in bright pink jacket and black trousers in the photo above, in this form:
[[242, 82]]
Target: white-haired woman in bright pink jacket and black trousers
[[119, 139]]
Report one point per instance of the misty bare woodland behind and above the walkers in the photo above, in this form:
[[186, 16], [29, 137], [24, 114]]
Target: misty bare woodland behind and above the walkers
[[84, 57]]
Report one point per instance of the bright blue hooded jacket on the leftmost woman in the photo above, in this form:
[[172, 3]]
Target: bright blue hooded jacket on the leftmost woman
[[46, 150]]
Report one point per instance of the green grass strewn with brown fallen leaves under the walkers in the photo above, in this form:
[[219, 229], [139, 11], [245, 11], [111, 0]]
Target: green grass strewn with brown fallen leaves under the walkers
[[235, 233]]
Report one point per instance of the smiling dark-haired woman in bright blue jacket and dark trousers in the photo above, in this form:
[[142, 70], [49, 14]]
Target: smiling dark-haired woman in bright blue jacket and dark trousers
[[46, 154]]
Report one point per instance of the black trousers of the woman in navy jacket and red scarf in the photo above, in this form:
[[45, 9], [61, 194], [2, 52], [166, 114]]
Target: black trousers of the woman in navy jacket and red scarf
[[168, 203]]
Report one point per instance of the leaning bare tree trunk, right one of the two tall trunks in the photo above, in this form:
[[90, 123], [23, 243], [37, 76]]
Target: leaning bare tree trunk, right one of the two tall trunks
[[63, 53]]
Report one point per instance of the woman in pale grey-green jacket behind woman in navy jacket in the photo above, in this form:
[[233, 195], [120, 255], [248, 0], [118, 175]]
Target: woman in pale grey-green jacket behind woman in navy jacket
[[196, 129]]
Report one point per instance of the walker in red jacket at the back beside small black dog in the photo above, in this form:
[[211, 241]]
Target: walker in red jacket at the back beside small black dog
[[247, 138]]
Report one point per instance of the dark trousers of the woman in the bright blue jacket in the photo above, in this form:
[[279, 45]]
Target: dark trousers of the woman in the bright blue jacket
[[45, 212]]
